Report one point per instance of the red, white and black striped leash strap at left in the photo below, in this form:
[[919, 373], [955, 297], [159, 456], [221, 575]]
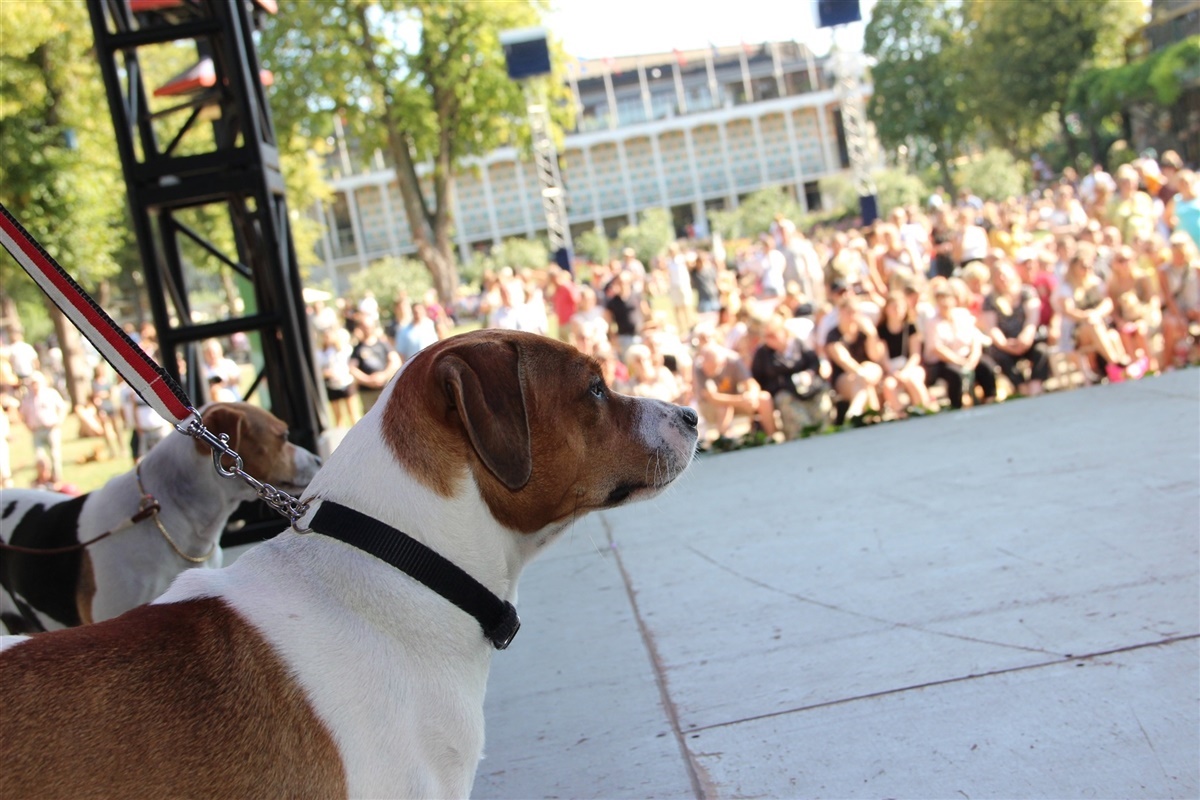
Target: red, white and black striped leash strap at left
[[146, 377]]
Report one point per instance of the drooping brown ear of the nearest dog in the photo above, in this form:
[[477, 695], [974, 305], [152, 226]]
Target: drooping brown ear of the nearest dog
[[487, 387]]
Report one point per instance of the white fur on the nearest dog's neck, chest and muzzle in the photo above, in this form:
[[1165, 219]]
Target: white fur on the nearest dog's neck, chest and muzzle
[[397, 672]]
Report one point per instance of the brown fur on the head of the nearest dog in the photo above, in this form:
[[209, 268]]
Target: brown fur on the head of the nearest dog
[[583, 448]]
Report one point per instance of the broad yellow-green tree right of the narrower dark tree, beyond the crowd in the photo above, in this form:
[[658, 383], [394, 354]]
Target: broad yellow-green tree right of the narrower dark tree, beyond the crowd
[[1025, 56]]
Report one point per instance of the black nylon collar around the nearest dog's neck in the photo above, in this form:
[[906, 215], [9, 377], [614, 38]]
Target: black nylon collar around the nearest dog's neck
[[497, 617]]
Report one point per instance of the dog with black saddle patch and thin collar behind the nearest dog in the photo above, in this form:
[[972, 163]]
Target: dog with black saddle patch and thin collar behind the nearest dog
[[139, 562]]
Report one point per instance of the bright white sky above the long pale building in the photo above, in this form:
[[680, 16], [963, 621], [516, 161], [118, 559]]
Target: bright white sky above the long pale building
[[597, 31]]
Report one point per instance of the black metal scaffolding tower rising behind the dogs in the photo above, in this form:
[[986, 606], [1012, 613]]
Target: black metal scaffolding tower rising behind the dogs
[[207, 197]]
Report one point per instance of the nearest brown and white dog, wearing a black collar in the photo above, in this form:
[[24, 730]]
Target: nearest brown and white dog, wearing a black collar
[[310, 669]]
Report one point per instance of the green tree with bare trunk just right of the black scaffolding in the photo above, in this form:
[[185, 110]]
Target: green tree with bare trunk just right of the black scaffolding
[[424, 81]]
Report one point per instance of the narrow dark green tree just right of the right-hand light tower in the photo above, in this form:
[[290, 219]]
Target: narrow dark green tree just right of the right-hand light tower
[[922, 98]]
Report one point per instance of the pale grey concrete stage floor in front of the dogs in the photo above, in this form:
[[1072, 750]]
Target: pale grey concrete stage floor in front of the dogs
[[1000, 603]]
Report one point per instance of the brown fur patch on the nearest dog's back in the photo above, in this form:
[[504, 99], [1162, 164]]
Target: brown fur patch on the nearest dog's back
[[173, 701]]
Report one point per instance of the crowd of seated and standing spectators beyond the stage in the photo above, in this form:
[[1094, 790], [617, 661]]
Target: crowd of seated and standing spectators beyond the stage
[[956, 302]]
